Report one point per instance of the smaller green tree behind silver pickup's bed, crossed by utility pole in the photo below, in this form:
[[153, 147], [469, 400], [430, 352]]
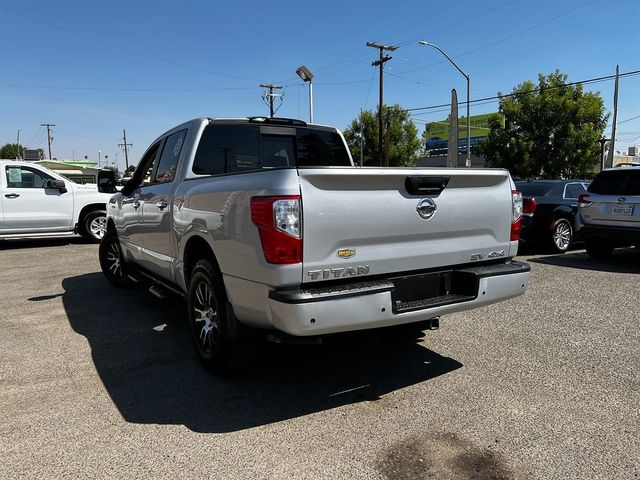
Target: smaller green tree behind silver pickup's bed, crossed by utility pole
[[405, 145]]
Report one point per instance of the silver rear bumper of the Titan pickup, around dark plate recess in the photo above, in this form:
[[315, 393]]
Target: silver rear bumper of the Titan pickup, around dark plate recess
[[371, 305]]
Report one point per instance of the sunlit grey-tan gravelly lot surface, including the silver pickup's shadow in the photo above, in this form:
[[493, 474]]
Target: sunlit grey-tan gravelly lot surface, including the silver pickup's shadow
[[103, 383]]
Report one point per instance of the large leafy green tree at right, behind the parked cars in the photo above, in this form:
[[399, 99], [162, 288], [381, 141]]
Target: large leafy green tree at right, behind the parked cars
[[551, 130]]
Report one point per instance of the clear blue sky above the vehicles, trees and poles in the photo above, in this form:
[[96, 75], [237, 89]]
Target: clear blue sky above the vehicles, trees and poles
[[94, 68]]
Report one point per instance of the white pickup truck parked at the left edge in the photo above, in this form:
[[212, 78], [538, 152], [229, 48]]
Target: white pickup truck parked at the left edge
[[37, 202]]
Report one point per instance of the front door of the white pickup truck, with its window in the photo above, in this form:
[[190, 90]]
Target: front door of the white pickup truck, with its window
[[30, 204]]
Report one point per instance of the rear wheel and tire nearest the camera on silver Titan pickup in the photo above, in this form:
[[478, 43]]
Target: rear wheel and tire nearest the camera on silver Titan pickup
[[224, 346]]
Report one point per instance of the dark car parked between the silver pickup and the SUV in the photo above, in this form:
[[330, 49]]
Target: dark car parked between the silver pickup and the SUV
[[549, 211]]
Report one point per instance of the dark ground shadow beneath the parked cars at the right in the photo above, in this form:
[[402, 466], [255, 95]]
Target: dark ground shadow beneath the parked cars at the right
[[621, 261]]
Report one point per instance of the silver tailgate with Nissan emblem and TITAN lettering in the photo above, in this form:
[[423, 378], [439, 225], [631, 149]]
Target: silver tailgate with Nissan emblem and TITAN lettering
[[359, 222]]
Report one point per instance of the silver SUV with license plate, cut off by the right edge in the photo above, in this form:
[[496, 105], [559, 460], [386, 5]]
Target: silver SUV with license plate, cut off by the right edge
[[610, 211]]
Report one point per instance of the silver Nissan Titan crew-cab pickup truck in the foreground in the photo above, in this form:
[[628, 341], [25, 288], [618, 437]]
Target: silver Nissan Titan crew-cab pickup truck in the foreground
[[265, 224]]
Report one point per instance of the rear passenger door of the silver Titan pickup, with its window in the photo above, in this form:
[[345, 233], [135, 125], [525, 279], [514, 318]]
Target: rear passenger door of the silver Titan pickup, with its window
[[157, 208]]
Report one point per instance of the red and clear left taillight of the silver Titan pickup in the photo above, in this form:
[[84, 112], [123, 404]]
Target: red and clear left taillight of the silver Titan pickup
[[279, 223]]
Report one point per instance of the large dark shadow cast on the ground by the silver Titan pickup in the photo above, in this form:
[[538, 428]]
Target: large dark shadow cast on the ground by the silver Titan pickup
[[142, 351]]
